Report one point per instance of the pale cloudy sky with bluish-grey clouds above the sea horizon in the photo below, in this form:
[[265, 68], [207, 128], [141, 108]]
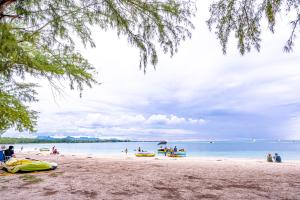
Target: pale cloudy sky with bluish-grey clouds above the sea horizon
[[198, 94]]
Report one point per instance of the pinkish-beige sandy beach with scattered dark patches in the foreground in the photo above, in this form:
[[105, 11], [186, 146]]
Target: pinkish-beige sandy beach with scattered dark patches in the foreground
[[121, 177]]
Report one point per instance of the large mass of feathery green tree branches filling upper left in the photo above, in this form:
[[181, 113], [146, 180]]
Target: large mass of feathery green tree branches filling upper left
[[36, 39]]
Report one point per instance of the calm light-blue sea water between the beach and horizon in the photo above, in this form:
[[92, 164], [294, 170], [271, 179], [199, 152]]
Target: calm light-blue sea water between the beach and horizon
[[289, 150]]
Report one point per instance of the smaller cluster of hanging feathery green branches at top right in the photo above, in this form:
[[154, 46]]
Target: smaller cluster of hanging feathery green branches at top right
[[244, 19]]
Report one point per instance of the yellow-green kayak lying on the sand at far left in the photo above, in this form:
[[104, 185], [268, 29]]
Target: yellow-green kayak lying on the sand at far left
[[26, 165]]
